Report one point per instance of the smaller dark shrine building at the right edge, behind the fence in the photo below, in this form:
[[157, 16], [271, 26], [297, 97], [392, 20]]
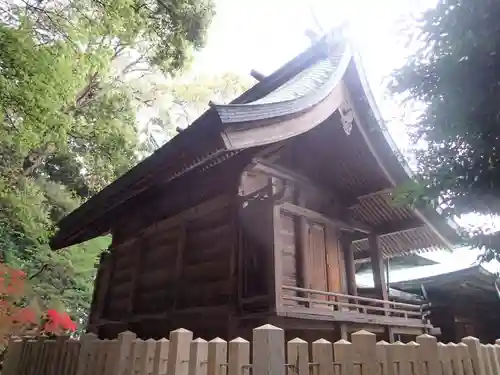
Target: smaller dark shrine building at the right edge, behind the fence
[[463, 303]]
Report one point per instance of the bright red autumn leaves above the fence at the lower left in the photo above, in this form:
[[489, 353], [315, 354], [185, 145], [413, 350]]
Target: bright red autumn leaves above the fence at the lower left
[[17, 319]]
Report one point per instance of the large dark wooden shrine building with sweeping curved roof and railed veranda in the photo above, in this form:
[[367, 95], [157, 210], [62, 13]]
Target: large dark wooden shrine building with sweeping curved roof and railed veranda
[[256, 214]]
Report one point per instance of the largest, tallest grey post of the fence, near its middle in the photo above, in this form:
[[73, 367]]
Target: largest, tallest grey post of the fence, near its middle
[[268, 351]]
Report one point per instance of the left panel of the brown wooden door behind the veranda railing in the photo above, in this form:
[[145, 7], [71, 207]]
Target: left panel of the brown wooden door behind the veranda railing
[[317, 260]]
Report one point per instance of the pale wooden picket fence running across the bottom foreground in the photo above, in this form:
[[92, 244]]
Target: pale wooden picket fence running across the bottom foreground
[[267, 355]]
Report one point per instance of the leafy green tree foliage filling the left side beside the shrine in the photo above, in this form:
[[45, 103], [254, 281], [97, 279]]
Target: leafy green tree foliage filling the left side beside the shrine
[[71, 82]]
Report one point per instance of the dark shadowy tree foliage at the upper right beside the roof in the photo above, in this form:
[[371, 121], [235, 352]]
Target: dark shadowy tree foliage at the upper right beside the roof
[[455, 74]]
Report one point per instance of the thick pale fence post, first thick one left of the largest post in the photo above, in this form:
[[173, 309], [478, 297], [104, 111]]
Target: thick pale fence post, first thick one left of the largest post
[[178, 353]]
